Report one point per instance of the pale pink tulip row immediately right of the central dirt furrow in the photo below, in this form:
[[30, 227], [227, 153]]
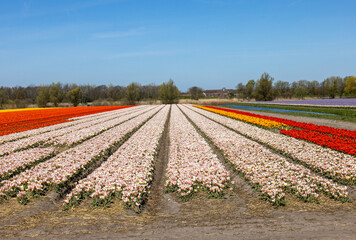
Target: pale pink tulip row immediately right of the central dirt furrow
[[192, 164]]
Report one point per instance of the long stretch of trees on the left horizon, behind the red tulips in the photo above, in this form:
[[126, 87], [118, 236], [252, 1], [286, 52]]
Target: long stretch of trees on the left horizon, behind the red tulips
[[57, 94]]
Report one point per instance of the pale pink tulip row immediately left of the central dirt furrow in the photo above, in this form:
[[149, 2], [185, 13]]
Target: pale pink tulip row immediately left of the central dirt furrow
[[127, 173]]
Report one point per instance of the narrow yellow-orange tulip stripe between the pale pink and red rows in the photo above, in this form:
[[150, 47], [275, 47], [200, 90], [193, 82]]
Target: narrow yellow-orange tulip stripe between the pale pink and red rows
[[249, 119]]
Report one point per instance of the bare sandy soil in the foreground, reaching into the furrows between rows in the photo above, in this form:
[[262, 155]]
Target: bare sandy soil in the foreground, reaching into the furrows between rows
[[242, 214]]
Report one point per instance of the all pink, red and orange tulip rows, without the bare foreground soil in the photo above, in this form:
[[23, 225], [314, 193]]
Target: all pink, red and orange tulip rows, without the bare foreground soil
[[109, 154]]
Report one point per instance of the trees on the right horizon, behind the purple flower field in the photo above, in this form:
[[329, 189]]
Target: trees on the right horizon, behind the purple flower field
[[264, 89]]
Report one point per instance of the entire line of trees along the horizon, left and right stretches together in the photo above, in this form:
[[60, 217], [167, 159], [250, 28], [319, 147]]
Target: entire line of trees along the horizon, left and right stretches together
[[262, 89]]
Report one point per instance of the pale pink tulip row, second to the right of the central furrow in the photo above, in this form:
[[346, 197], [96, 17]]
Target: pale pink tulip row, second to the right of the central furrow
[[271, 174]]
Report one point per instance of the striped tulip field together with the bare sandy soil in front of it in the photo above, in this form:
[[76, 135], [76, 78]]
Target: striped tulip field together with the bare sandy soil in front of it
[[135, 169]]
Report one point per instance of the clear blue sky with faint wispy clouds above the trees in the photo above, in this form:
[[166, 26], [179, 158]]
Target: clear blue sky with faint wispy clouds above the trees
[[206, 43]]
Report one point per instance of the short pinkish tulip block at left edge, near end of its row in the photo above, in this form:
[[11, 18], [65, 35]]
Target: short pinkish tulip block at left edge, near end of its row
[[18, 161]]
